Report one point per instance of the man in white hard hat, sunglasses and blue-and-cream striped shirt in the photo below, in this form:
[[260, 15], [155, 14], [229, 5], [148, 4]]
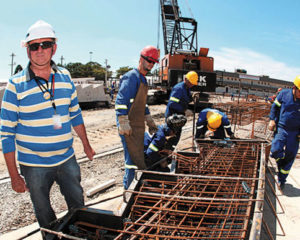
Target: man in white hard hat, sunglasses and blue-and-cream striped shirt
[[39, 108]]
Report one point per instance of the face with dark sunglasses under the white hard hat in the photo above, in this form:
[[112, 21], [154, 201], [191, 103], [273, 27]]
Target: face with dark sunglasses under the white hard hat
[[41, 55]]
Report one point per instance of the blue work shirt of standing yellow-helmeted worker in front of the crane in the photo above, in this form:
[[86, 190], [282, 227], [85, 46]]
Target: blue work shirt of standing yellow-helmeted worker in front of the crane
[[179, 99]]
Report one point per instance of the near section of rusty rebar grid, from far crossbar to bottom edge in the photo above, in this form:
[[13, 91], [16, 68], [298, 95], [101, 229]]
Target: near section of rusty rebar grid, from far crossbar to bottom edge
[[198, 208]]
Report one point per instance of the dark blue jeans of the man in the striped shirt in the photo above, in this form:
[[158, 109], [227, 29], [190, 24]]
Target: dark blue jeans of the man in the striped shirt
[[39, 180]]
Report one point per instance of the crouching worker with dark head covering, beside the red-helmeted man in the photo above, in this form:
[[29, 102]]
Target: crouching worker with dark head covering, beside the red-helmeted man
[[157, 146]]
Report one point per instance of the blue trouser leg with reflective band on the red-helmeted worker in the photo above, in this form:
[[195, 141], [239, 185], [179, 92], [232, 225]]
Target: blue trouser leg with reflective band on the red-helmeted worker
[[129, 165]]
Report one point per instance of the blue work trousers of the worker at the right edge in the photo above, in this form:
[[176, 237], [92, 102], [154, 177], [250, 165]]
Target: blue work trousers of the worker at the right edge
[[284, 149]]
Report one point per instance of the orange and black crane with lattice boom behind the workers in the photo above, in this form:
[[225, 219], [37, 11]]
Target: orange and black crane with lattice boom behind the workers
[[181, 55]]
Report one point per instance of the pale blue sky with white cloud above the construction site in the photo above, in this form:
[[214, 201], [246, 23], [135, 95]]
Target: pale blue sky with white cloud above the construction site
[[261, 36]]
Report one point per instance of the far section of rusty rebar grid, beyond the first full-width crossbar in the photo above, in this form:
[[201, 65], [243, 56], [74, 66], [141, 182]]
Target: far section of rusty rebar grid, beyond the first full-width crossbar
[[238, 159]]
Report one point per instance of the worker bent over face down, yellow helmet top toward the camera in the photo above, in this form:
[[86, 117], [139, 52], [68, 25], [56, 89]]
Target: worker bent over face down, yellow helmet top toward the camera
[[215, 121]]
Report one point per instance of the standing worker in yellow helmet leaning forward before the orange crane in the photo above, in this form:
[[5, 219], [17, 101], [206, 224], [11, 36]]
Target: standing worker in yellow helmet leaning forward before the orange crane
[[180, 97]]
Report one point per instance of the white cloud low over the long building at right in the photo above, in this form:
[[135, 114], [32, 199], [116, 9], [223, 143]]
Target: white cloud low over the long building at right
[[255, 63]]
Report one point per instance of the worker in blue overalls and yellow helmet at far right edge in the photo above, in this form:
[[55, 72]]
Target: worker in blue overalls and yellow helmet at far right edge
[[286, 108]]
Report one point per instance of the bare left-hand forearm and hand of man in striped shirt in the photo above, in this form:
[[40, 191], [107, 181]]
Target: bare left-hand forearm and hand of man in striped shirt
[[17, 182]]
